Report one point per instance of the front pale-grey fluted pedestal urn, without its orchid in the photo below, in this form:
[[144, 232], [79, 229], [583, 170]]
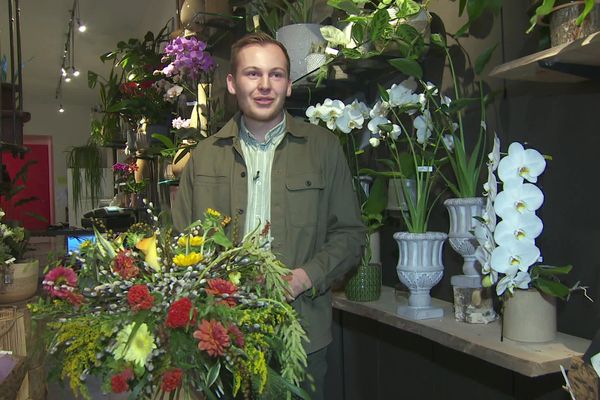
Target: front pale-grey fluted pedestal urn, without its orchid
[[420, 268]]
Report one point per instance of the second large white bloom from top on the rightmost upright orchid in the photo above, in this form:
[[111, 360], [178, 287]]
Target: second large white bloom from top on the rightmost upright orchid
[[517, 198]]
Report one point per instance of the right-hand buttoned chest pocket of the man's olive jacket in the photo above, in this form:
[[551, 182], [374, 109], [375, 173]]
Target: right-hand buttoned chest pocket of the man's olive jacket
[[303, 196]]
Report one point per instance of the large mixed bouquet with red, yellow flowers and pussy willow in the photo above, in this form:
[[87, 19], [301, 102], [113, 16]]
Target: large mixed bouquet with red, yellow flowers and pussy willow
[[156, 315]]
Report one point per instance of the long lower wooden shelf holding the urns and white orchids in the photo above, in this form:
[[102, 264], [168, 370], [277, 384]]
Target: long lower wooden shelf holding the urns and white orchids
[[477, 340]]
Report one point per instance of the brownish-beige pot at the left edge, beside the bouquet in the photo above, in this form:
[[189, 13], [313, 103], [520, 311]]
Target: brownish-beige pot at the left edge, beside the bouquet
[[19, 281]]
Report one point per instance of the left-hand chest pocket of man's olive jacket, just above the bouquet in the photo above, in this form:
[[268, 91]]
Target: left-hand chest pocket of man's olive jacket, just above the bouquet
[[211, 192]]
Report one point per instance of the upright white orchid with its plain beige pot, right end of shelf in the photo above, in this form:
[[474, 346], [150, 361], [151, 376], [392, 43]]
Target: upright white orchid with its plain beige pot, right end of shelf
[[508, 253]]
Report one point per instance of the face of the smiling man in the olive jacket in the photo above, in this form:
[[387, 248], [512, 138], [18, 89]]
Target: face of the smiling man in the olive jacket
[[260, 83]]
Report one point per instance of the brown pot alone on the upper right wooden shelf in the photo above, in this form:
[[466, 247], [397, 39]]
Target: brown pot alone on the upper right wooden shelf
[[563, 28]]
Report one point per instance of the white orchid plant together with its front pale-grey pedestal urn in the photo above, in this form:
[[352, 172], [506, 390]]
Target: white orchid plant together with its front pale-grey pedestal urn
[[404, 120]]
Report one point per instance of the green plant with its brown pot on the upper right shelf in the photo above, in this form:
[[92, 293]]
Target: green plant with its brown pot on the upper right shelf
[[569, 20]]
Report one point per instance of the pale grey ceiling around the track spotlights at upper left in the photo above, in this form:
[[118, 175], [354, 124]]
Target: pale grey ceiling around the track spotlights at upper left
[[44, 26]]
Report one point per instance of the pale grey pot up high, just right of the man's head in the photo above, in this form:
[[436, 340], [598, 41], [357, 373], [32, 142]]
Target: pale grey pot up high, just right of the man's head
[[297, 39]]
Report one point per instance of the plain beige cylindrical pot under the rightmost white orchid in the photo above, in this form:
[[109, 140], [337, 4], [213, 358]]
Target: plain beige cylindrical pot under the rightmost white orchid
[[529, 316]]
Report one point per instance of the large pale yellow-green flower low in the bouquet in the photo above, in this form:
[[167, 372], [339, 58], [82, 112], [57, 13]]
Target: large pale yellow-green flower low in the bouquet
[[140, 345]]
